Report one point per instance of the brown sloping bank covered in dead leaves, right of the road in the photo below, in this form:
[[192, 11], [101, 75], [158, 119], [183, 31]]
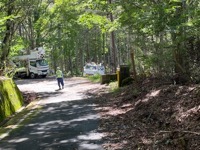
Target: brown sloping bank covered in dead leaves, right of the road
[[155, 115]]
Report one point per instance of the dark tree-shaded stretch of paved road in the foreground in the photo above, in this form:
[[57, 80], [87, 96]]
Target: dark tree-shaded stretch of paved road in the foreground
[[67, 125]]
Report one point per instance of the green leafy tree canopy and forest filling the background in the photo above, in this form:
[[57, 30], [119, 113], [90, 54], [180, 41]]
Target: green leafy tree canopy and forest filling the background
[[75, 32]]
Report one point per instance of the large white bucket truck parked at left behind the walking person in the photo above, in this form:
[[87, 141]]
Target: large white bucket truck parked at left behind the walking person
[[31, 65]]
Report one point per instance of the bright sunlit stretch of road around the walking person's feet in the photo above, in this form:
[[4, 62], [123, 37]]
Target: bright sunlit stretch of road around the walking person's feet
[[49, 93]]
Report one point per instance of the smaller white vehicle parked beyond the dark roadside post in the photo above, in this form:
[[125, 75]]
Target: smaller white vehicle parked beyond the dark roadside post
[[92, 69]]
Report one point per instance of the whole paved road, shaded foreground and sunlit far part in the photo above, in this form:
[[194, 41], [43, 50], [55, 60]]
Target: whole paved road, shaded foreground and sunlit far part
[[67, 120]]
